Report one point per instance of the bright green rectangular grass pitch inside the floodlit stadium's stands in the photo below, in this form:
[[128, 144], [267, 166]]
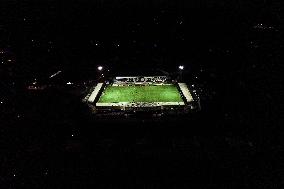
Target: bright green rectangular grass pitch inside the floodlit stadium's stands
[[152, 93]]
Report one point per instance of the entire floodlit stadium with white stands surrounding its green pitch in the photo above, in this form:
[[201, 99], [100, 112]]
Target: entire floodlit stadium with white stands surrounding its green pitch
[[141, 94]]
